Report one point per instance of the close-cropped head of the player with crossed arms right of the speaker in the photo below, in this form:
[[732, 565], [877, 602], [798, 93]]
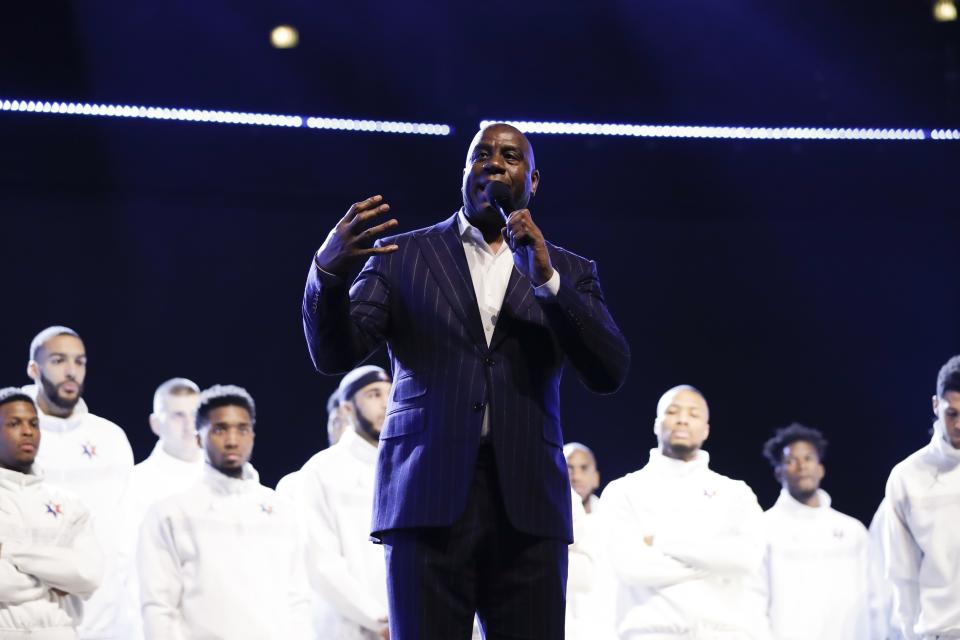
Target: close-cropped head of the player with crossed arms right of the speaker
[[683, 422]]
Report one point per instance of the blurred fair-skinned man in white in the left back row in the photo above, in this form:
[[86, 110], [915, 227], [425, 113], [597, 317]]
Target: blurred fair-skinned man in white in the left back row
[[174, 465]]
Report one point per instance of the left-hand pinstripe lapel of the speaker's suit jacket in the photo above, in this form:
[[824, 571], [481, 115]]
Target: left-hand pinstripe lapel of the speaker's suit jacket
[[444, 254]]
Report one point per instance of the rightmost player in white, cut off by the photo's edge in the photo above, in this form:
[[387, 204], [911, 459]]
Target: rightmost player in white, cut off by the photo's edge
[[920, 527]]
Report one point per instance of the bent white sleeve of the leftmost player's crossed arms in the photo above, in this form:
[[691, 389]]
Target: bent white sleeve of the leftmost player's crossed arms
[[74, 564]]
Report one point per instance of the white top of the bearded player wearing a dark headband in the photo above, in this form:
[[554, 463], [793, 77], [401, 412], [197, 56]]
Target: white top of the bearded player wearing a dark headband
[[346, 569]]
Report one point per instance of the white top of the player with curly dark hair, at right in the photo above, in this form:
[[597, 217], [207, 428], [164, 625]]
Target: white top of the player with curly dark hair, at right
[[816, 572]]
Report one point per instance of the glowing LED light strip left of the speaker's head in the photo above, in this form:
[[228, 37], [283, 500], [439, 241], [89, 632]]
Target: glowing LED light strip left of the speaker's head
[[221, 117]]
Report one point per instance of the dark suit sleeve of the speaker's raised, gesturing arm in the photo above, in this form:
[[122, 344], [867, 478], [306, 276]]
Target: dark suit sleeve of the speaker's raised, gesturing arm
[[343, 327]]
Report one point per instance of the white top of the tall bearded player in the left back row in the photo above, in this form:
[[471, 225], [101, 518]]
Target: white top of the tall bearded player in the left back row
[[91, 457]]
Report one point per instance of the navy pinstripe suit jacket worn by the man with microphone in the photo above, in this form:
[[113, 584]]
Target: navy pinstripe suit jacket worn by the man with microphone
[[420, 300]]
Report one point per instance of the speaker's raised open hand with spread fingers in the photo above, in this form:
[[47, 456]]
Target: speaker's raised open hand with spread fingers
[[351, 242]]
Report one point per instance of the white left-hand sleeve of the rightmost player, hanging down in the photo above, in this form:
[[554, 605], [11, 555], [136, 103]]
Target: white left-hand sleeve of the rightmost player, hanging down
[[902, 554]]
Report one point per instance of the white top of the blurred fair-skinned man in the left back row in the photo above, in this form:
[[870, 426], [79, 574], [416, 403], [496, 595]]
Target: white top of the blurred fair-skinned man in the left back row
[[160, 476]]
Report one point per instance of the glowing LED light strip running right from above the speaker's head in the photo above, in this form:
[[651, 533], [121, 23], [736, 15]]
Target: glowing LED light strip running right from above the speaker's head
[[726, 133]]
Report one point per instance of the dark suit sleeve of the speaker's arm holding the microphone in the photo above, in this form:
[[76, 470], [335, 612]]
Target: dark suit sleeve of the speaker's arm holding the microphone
[[585, 329]]
